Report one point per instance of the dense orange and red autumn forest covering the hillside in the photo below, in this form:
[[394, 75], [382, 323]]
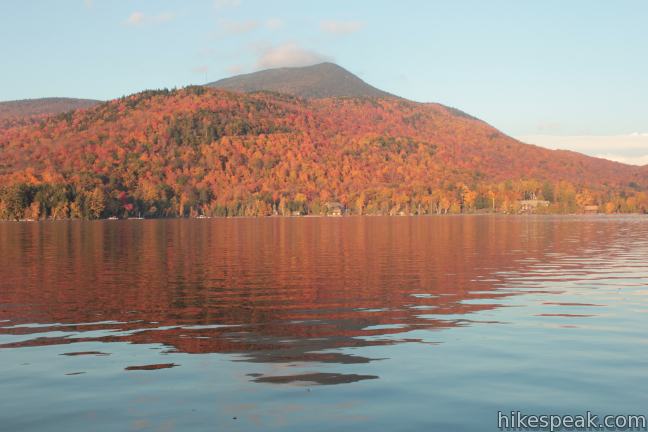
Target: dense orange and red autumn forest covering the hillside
[[202, 151]]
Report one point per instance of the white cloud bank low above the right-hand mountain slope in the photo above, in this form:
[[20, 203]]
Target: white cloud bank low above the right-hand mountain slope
[[629, 148]]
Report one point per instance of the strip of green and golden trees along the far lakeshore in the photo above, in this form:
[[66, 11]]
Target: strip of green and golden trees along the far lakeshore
[[61, 201]]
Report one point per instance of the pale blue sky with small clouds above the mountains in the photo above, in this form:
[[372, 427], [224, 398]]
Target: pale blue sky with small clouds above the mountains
[[561, 74]]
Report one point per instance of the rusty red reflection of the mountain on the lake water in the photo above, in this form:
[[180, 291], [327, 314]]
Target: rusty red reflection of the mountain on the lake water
[[271, 290]]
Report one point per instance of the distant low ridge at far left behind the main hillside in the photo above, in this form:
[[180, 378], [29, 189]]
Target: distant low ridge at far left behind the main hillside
[[27, 109]]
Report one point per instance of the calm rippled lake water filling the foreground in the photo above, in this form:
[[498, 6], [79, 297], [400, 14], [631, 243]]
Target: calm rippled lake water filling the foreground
[[320, 324]]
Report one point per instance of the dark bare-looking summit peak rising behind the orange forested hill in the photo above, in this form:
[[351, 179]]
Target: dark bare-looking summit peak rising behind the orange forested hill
[[318, 81]]
